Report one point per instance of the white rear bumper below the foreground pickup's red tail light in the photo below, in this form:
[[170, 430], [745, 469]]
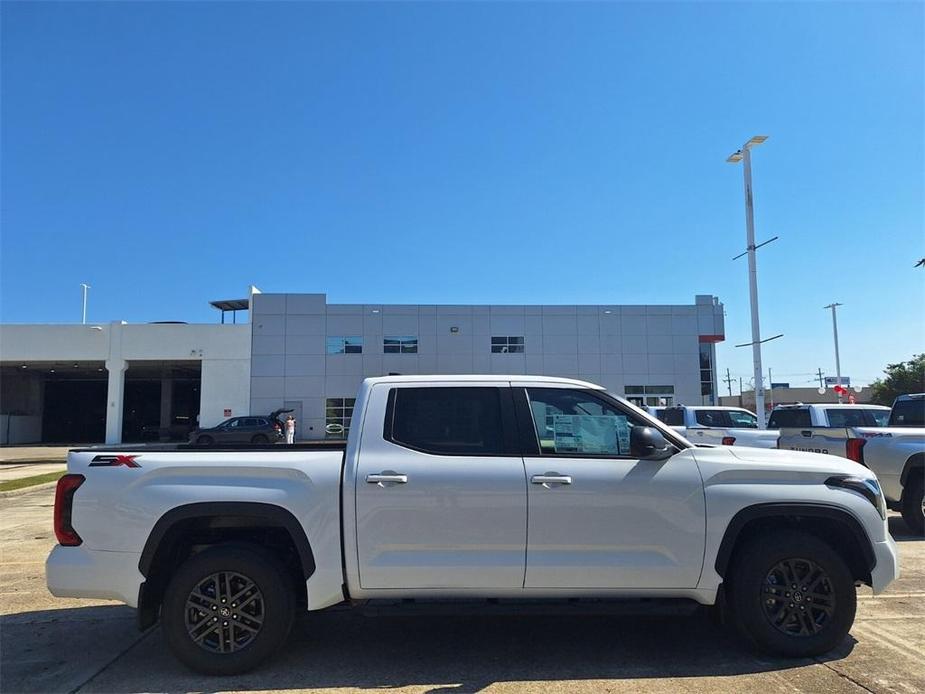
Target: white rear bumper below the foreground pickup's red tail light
[[77, 572]]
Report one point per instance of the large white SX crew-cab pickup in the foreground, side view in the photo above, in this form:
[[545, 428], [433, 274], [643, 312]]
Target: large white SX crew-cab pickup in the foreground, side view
[[469, 487]]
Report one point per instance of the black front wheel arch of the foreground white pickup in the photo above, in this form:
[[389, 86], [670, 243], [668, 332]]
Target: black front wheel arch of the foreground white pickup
[[834, 526]]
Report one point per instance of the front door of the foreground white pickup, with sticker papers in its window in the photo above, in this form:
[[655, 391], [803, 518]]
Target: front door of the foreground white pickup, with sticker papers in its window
[[599, 518]]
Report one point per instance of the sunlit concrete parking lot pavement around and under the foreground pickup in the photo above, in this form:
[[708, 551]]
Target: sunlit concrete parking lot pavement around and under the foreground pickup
[[54, 645]]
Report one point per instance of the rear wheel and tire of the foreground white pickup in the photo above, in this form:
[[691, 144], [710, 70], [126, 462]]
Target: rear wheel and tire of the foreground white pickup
[[267, 615]]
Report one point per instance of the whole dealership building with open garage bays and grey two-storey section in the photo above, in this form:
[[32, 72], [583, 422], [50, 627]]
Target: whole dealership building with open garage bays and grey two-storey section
[[123, 382]]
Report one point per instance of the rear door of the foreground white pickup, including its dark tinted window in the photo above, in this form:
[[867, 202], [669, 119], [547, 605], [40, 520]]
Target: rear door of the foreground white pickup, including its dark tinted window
[[441, 497]]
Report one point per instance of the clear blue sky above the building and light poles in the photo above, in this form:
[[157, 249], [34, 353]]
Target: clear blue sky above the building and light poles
[[173, 153]]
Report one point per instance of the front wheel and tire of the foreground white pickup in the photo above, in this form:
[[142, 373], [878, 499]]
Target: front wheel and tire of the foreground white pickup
[[760, 596]]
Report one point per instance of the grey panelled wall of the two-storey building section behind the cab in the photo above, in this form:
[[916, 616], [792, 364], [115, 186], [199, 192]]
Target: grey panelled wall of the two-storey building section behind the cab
[[616, 346]]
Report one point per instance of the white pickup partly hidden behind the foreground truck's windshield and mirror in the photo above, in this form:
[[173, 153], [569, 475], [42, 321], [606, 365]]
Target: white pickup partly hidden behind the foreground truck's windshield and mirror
[[726, 426]]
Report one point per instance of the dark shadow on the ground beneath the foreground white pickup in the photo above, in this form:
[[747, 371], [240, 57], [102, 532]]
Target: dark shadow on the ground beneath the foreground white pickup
[[465, 654]]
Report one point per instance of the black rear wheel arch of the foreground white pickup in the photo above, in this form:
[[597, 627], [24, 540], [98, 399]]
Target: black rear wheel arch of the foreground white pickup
[[189, 529]]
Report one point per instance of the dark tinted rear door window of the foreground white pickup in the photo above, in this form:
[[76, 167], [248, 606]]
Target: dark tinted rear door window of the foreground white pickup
[[449, 421]]
